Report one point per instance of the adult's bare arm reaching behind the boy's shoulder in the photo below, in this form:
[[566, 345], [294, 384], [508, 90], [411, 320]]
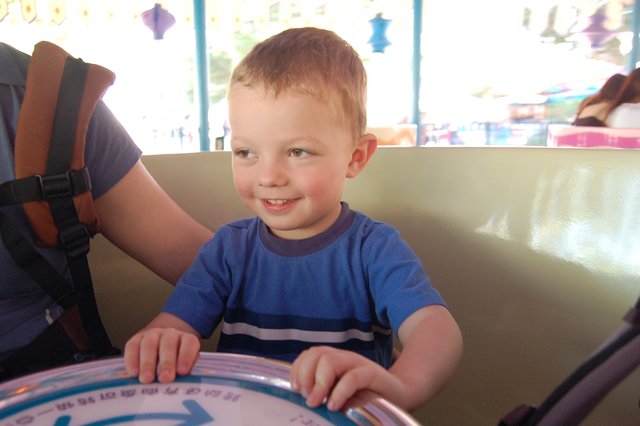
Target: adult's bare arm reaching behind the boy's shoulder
[[140, 218]]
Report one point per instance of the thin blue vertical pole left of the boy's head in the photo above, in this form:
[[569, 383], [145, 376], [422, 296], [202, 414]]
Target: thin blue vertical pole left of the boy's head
[[202, 71]]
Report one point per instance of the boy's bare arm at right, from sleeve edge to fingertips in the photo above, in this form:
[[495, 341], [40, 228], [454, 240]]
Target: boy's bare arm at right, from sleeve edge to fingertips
[[432, 347]]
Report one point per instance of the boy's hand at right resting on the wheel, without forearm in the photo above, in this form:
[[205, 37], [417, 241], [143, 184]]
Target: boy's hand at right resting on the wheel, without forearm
[[323, 373]]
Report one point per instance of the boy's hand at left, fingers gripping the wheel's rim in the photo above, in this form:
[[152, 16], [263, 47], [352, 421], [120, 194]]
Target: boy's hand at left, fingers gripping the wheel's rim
[[167, 345]]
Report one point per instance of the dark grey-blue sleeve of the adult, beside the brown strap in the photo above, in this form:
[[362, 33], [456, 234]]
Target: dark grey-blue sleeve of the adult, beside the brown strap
[[110, 153]]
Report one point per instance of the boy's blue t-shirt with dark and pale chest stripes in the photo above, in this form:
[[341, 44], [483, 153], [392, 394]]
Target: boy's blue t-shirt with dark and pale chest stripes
[[347, 287]]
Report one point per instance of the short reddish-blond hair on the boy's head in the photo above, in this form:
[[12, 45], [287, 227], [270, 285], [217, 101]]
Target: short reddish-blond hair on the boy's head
[[311, 61]]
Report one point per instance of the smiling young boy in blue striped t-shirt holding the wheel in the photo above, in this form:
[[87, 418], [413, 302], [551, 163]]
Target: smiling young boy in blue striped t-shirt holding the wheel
[[308, 280]]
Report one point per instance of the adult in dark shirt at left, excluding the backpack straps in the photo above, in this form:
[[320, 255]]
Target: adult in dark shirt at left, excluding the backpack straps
[[134, 212]]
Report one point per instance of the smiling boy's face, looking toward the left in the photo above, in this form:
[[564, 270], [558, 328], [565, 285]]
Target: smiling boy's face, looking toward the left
[[290, 159]]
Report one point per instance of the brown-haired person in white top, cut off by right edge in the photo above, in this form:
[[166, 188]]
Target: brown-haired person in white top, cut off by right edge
[[624, 111]]
